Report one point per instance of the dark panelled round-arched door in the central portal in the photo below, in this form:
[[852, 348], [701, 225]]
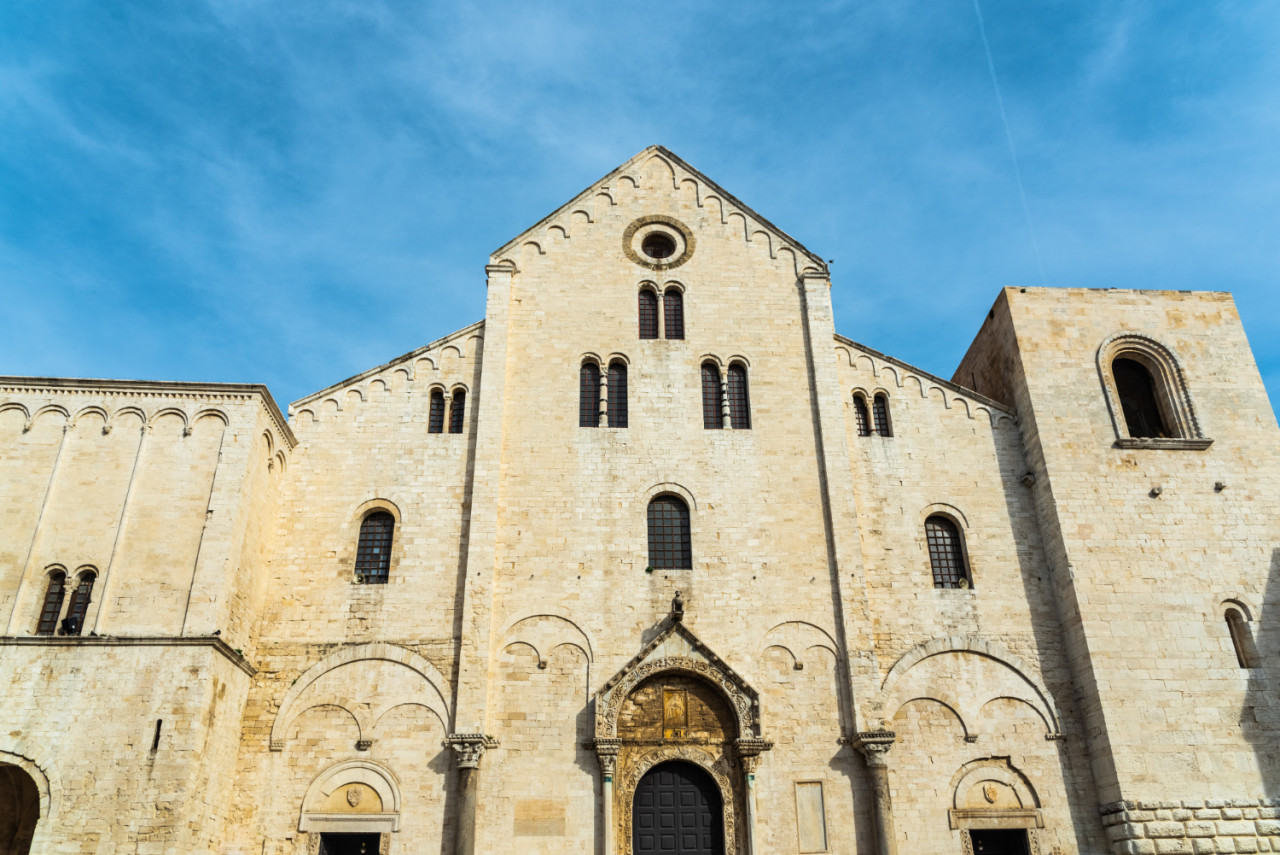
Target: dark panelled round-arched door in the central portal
[[678, 812]]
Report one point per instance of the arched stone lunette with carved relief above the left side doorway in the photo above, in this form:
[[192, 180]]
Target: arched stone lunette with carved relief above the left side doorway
[[333, 801]]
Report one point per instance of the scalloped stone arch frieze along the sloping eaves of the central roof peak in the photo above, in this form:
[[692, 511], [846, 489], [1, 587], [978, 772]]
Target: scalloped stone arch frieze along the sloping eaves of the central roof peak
[[682, 173]]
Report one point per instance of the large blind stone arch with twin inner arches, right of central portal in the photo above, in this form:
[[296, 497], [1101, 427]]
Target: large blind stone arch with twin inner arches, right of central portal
[[897, 689]]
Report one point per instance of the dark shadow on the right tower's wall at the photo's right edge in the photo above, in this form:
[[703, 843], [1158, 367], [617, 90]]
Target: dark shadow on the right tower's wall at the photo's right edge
[[1260, 719]]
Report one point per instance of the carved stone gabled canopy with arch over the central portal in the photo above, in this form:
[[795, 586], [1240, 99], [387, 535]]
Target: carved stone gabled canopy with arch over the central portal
[[678, 650]]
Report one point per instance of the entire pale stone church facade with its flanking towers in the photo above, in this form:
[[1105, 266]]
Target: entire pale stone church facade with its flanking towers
[[652, 560]]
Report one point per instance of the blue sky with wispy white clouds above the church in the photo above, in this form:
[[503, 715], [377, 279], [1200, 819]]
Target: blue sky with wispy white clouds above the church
[[294, 193]]
